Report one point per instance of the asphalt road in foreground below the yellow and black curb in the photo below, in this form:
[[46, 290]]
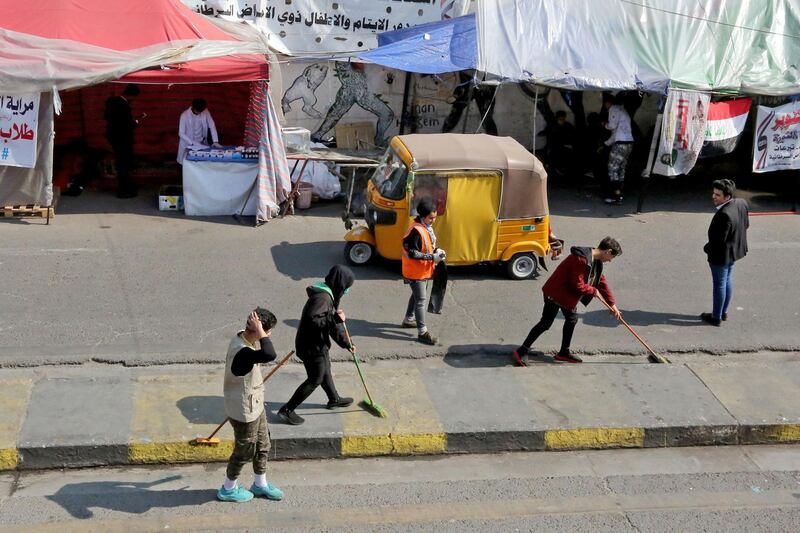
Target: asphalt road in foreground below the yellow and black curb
[[731, 489]]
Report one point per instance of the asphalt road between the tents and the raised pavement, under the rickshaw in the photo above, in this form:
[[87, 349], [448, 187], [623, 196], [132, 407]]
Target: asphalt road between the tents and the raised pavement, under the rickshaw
[[117, 281]]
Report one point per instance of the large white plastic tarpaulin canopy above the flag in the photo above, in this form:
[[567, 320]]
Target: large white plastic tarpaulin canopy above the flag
[[750, 46]]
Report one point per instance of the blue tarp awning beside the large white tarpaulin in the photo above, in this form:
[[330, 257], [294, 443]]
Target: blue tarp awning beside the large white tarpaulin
[[433, 48]]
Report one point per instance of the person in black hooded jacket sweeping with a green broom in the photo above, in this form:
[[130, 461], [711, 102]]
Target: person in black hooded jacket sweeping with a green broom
[[321, 321]]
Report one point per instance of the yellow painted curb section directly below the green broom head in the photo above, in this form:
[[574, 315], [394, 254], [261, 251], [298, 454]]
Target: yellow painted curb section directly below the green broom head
[[407, 444]]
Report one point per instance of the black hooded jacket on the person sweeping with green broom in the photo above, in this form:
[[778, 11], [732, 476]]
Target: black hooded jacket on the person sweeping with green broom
[[319, 322]]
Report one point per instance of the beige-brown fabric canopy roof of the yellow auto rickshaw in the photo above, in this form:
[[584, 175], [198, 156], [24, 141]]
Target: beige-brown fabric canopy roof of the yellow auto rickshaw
[[524, 177]]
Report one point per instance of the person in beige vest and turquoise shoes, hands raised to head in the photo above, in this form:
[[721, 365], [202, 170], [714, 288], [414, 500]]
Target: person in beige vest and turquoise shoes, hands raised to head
[[244, 407]]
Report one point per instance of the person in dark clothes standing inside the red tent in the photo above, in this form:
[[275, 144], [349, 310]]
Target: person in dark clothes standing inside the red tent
[[119, 132]]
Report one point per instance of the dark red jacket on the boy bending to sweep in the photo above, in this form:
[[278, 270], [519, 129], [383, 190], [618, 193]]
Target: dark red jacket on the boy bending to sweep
[[569, 284]]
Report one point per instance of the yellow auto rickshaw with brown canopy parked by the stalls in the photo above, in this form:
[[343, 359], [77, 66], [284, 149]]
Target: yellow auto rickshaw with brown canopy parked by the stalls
[[490, 194]]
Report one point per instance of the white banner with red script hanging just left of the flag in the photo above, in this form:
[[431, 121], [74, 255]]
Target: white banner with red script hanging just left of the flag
[[683, 129]]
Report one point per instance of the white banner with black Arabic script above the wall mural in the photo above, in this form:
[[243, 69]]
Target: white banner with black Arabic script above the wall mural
[[314, 26]]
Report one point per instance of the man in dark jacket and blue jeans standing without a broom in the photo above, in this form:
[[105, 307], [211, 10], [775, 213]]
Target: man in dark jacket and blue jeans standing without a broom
[[727, 243]]
